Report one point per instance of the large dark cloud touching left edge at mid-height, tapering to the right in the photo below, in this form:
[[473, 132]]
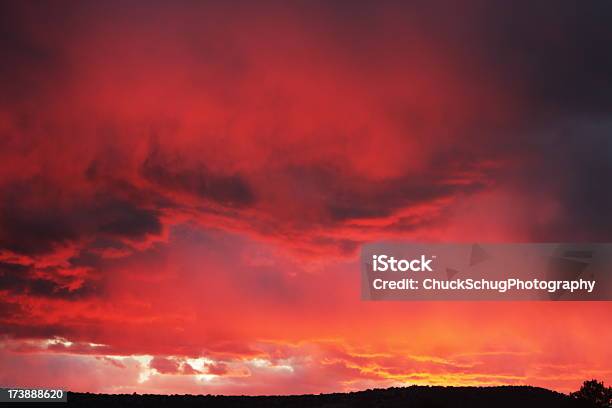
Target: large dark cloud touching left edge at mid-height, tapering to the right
[[36, 217]]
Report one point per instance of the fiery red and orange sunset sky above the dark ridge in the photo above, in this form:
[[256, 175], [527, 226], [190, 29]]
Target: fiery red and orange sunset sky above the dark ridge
[[185, 188]]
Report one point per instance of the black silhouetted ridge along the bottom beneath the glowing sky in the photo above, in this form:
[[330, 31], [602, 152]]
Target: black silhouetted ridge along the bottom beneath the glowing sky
[[405, 397]]
